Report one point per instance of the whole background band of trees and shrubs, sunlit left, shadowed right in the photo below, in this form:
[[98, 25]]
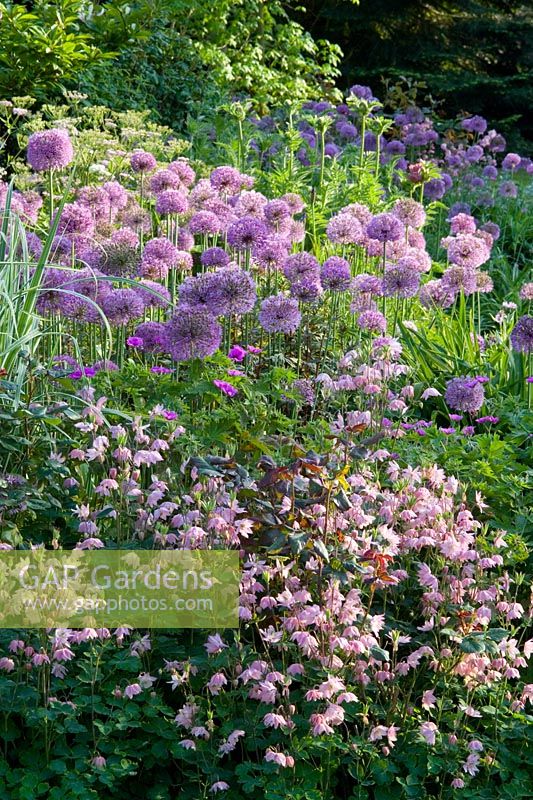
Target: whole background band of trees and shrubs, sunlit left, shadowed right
[[179, 58]]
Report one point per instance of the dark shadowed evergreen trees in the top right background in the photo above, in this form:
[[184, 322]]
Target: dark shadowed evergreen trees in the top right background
[[473, 55]]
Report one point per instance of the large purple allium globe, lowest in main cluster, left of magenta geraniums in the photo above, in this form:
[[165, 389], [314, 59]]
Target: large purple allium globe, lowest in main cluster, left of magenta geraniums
[[192, 334]]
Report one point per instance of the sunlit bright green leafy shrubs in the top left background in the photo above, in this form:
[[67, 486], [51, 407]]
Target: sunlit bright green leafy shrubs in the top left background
[[169, 56]]
